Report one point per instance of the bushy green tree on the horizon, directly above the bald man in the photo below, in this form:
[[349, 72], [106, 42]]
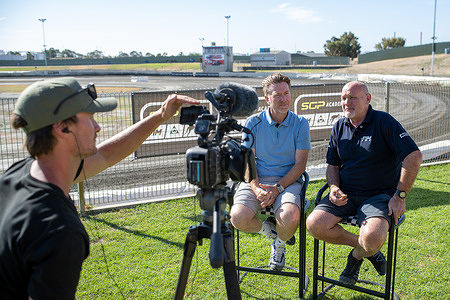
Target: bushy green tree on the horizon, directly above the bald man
[[346, 45]]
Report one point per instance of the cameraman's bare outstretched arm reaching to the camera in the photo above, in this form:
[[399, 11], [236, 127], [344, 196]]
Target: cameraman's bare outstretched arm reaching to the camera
[[129, 140]]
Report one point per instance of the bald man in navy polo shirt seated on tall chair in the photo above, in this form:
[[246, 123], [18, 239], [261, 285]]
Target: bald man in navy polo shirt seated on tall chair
[[372, 165]]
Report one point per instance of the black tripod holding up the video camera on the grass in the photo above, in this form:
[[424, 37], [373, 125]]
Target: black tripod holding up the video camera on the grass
[[213, 227]]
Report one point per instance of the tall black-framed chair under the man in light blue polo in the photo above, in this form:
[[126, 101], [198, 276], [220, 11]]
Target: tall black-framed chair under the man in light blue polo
[[300, 272]]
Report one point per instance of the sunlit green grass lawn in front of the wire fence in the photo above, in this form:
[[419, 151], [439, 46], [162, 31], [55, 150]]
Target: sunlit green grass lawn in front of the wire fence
[[144, 250]]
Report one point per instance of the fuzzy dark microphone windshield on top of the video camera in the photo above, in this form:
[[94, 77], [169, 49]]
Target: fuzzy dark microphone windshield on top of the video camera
[[246, 99]]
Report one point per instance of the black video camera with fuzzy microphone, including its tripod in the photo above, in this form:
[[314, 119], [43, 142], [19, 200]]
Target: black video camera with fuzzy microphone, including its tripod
[[209, 165]]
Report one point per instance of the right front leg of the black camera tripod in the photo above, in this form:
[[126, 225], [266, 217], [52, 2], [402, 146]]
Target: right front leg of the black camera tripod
[[229, 268]]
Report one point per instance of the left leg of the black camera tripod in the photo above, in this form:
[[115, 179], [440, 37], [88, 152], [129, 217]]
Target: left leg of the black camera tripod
[[189, 249]]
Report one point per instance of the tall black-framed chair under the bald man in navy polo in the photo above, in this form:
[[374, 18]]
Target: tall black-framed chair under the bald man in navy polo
[[390, 268]]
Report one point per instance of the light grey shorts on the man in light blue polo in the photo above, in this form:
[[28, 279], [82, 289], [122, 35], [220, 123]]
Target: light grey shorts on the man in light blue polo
[[244, 194]]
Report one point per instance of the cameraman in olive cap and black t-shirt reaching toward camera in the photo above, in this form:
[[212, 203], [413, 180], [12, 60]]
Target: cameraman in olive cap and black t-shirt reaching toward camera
[[42, 241]]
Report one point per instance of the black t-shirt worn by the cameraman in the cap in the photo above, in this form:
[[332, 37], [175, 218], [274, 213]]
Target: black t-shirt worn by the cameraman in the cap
[[42, 240]]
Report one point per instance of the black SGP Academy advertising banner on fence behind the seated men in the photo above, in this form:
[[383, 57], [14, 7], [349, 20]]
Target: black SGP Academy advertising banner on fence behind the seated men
[[319, 104]]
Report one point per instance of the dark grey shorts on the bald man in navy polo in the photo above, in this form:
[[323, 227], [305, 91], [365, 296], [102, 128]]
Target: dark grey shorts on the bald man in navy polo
[[363, 207]]
